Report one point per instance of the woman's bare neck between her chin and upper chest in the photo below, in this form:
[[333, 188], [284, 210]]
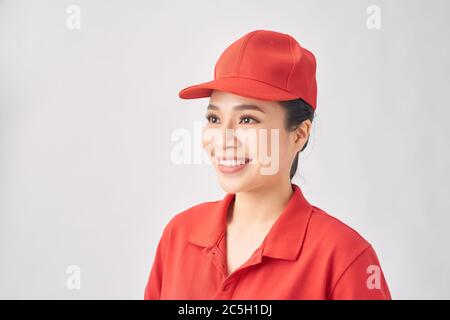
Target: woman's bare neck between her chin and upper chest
[[259, 206]]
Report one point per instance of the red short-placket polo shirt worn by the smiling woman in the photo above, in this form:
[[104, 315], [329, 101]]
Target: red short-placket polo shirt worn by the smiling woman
[[307, 254]]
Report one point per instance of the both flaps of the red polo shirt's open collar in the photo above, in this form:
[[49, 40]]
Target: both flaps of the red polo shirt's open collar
[[285, 238]]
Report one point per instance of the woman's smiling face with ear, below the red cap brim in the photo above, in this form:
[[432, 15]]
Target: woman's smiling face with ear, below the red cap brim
[[248, 143]]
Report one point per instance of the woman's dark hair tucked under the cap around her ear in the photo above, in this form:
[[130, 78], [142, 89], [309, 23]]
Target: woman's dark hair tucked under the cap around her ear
[[297, 111]]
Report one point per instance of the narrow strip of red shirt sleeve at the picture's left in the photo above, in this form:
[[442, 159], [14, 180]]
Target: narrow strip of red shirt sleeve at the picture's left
[[155, 279]]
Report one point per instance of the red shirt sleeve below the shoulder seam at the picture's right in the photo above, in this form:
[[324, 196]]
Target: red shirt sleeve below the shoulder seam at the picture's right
[[363, 279]]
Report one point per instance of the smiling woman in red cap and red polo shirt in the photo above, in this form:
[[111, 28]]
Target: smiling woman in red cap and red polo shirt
[[263, 240]]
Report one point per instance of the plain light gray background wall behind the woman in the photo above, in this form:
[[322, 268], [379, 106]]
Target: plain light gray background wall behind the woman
[[86, 118]]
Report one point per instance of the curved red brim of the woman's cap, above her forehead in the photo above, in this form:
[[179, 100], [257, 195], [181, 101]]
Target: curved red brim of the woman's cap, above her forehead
[[240, 86]]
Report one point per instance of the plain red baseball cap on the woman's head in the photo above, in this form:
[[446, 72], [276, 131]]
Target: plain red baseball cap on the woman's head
[[265, 65]]
